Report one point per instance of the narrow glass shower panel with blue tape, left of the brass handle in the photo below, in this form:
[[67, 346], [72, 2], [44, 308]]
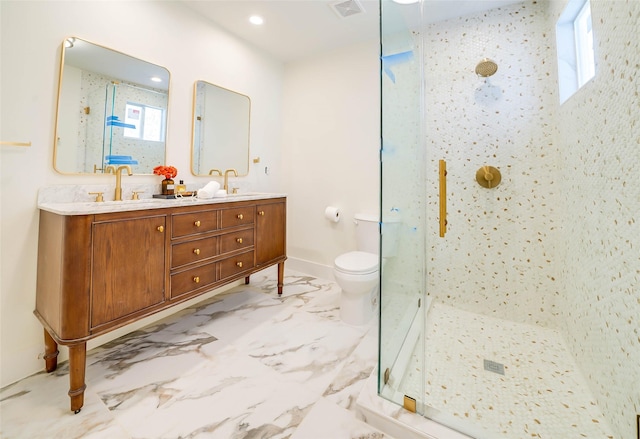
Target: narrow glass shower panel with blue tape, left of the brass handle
[[402, 208]]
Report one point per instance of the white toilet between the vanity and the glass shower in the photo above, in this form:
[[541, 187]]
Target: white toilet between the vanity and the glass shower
[[357, 273]]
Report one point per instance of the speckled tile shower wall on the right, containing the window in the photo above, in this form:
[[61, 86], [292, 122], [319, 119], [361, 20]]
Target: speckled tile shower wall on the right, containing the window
[[599, 304]]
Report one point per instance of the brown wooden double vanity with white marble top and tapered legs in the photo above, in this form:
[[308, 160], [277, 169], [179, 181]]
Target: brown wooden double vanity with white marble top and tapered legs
[[102, 266]]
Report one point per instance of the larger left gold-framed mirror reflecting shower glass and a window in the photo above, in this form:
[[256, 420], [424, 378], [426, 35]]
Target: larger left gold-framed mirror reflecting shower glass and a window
[[112, 109]]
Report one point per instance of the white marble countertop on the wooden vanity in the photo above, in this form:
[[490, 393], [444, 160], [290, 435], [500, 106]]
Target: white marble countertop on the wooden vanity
[[93, 207]]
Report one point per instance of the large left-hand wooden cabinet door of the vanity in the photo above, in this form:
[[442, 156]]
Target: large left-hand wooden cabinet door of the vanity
[[128, 267]]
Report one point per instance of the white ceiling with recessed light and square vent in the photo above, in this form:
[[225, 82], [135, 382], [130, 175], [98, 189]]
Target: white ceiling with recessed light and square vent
[[295, 29]]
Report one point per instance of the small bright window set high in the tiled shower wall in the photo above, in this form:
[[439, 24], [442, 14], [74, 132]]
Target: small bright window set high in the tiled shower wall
[[574, 40]]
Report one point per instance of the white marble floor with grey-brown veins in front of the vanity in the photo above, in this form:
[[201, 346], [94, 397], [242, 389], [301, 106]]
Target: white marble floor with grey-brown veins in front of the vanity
[[244, 364]]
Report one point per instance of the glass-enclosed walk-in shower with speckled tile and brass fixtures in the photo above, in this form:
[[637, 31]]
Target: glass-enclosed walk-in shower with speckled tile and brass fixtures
[[509, 265]]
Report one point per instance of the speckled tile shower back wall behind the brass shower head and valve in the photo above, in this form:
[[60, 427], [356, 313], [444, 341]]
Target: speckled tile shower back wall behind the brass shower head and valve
[[498, 256]]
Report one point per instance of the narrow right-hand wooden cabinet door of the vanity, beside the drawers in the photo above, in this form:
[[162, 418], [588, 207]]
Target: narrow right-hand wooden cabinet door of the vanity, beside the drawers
[[270, 232]]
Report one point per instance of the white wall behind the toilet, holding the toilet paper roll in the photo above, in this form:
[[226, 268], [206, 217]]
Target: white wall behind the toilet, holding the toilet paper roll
[[331, 144]]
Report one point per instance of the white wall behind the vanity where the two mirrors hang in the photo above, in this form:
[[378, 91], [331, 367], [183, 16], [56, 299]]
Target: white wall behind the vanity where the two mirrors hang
[[164, 33]]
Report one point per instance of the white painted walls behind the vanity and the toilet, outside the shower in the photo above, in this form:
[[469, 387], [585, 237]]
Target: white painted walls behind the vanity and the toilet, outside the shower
[[318, 136]]
